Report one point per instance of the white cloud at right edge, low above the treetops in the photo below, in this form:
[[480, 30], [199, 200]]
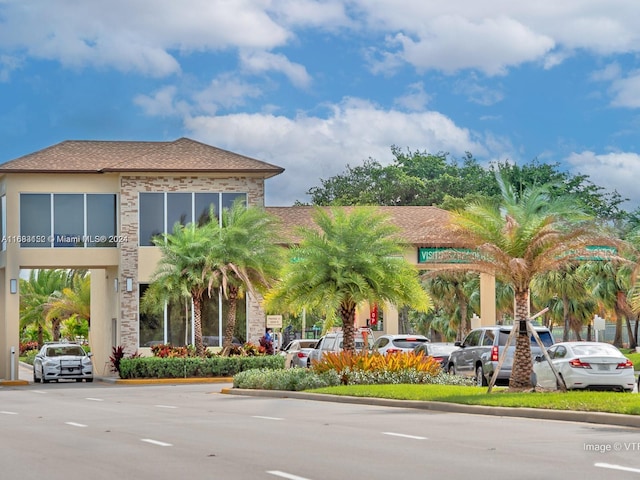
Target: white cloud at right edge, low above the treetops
[[613, 171]]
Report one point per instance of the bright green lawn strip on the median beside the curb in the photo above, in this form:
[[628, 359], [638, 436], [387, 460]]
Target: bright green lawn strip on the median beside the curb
[[610, 402]]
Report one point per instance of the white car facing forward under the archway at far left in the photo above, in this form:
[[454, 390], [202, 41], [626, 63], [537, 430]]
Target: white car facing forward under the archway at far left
[[56, 361]]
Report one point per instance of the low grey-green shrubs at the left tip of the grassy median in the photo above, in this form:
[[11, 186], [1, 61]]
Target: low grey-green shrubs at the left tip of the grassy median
[[292, 379]]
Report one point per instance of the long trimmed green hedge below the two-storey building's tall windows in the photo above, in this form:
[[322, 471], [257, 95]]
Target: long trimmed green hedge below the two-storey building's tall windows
[[190, 367]]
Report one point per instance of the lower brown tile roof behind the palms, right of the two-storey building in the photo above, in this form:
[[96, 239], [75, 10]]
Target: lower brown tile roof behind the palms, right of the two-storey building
[[419, 226]]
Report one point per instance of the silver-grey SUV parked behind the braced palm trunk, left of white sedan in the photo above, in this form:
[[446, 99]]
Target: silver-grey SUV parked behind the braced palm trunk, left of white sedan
[[480, 352]]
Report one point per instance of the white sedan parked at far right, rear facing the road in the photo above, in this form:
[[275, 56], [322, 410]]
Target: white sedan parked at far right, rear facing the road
[[585, 365]]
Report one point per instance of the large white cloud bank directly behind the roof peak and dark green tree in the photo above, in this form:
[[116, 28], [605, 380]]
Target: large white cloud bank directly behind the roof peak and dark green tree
[[311, 148]]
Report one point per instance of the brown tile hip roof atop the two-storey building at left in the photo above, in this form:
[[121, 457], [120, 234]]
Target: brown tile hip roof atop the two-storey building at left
[[182, 155]]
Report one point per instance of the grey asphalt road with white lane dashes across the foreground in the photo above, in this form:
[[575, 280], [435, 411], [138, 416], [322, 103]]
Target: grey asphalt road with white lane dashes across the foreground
[[105, 431]]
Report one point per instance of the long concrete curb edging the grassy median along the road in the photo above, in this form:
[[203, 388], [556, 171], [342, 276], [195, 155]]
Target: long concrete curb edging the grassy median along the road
[[536, 413]]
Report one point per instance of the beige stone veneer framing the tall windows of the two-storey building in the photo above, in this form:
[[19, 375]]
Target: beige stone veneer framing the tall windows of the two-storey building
[[130, 187]]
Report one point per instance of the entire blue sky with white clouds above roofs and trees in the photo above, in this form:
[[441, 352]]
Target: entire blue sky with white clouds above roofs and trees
[[316, 85]]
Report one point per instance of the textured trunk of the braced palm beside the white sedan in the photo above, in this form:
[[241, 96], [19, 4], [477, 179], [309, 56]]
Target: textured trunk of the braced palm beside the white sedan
[[522, 364]]
